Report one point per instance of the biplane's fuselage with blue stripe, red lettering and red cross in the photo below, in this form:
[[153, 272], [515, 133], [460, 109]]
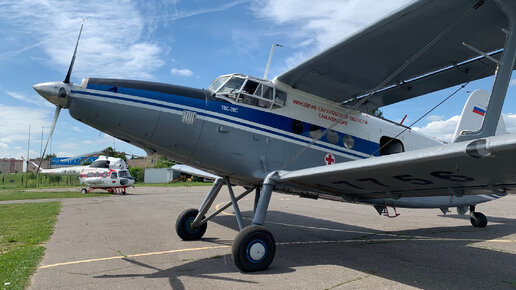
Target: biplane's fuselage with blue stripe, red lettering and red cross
[[240, 127]]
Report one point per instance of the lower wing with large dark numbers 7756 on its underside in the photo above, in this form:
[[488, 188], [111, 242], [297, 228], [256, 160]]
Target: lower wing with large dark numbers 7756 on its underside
[[477, 167]]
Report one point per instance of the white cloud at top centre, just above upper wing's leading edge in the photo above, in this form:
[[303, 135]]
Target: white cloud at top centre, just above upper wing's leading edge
[[324, 23]]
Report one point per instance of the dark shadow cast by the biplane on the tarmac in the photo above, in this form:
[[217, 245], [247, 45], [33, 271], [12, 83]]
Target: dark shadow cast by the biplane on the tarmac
[[424, 258]]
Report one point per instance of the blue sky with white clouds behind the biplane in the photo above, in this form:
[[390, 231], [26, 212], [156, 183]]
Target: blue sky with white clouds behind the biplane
[[179, 42]]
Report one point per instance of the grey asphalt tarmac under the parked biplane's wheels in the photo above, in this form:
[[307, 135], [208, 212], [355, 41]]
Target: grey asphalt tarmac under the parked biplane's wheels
[[129, 242]]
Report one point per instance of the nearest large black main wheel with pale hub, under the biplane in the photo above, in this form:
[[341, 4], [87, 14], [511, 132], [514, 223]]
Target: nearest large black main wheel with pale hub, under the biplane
[[253, 249]]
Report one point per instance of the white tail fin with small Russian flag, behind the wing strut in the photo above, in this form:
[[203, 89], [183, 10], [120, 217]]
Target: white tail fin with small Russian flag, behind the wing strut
[[473, 114]]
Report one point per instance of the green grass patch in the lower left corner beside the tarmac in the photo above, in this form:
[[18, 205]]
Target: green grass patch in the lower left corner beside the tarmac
[[23, 230]]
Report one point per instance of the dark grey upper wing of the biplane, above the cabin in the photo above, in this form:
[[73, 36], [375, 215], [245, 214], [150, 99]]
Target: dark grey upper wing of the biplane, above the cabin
[[356, 66]]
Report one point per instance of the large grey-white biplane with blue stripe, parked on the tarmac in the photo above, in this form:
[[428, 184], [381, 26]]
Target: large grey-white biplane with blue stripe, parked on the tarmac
[[307, 132]]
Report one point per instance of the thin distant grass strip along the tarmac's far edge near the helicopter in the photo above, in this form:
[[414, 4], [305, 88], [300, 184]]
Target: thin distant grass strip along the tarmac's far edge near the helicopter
[[23, 195]]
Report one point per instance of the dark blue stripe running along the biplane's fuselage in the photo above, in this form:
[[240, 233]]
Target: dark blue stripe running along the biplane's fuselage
[[207, 107]]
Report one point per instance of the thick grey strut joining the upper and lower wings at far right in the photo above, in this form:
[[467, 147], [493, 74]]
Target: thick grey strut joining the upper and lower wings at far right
[[502, 78]]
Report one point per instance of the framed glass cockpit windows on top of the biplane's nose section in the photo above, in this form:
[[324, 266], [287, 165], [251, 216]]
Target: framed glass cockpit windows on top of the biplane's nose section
[[250, 91]]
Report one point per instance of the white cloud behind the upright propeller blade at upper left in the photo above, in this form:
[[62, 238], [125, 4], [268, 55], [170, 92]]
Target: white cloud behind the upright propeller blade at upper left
[[111, 45]]
